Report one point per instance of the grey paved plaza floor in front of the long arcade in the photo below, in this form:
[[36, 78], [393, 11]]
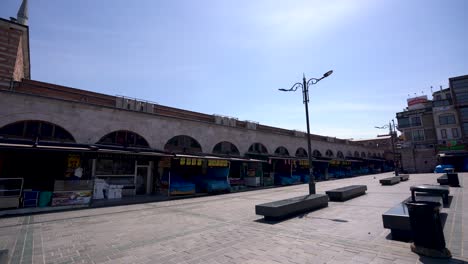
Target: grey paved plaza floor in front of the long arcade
[[225, 229]]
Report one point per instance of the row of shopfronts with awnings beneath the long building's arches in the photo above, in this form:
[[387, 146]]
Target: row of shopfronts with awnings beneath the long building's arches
[[44, 174]]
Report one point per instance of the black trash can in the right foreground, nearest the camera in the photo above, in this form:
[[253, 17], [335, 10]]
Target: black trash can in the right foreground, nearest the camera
[[426, 225]]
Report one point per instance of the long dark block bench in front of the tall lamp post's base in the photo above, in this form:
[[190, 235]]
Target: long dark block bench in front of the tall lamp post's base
[[285, 208]]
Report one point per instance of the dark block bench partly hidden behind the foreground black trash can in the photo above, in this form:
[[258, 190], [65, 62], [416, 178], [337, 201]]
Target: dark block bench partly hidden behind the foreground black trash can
[[397, 218]]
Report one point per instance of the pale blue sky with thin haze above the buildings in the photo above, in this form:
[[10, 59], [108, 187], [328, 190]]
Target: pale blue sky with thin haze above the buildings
[[230, 57]]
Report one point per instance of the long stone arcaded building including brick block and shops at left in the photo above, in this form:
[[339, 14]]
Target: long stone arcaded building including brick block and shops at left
[[67, 142]]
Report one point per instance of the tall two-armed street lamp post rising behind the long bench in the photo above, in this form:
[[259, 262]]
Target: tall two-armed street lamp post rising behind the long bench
[[305, 95]]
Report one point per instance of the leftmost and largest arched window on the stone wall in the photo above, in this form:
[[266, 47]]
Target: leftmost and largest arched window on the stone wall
[[35, 129]]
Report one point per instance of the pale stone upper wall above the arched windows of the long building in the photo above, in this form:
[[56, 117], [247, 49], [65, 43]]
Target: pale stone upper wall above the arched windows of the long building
[[89, 122]]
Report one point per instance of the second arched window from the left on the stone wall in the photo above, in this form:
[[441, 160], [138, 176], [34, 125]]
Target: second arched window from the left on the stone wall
[[124, 138]]
